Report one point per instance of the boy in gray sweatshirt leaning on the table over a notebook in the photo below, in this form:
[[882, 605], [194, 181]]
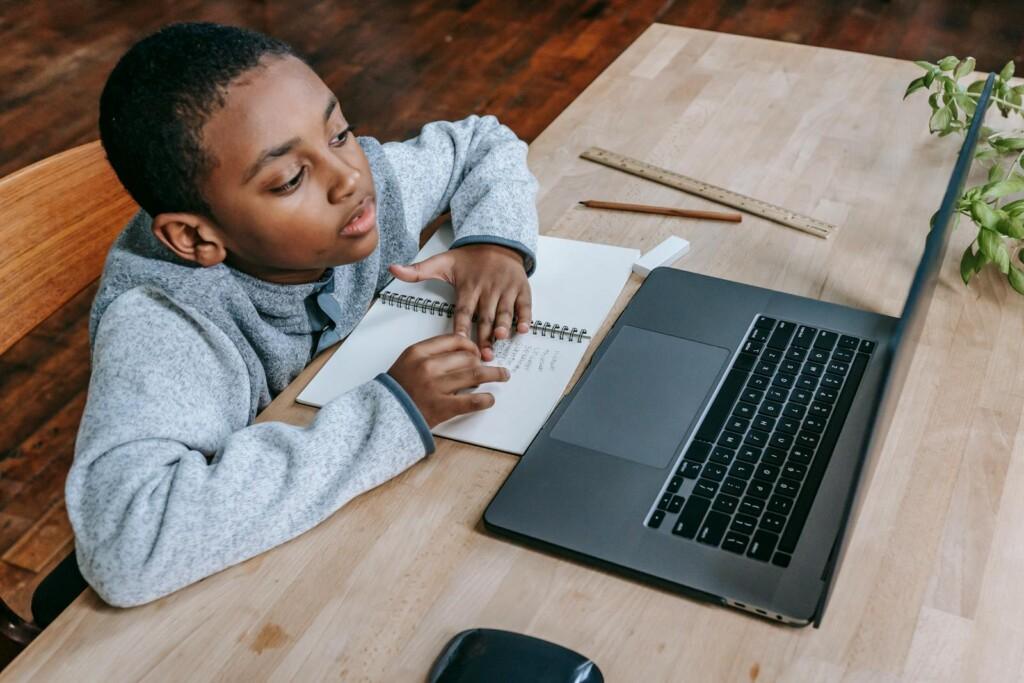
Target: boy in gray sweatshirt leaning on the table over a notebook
[[268, 228]]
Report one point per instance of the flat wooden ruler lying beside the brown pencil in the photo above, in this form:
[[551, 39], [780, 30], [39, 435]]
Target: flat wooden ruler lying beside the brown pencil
[[713, 193]]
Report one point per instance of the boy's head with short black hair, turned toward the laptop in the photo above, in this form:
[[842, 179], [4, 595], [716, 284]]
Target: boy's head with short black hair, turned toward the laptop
[[239, 152]]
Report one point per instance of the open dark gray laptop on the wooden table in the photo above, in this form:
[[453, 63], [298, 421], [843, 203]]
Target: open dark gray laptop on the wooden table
[[719, 441]]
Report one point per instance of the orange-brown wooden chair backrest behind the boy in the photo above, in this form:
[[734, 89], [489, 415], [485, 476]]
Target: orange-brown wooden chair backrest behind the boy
[[58, 220]]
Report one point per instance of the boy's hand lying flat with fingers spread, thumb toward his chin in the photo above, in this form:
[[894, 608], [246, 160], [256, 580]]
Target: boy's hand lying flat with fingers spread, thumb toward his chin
[[490, 282]]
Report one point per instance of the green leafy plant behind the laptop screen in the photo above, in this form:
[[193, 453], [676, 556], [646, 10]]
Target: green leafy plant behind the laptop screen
[[990, 206]]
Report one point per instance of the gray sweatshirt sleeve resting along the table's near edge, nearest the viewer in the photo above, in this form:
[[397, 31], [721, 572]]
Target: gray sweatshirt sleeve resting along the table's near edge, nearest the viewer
[[170, 484]]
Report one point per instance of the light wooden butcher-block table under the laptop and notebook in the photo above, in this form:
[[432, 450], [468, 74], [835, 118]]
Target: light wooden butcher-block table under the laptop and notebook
[[931, 588]]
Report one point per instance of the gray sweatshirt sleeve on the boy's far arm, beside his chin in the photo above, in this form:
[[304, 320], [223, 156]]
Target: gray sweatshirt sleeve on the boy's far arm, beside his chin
[[477, 167]]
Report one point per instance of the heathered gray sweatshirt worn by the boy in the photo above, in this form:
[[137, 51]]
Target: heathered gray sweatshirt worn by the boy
[[172, 481]]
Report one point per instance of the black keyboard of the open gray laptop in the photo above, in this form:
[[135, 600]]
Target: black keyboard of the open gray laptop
[[749, 478]]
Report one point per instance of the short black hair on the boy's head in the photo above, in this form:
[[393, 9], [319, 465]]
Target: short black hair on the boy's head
[[157, 100]]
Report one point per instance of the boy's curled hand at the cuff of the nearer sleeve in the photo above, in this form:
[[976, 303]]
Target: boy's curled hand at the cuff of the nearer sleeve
[[434, 371]]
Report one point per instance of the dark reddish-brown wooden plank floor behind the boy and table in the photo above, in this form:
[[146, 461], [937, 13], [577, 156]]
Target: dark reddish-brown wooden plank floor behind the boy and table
[[395, 66]]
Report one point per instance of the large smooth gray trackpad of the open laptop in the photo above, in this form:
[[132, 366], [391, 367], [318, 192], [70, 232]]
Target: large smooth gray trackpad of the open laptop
[[643, 397]]
